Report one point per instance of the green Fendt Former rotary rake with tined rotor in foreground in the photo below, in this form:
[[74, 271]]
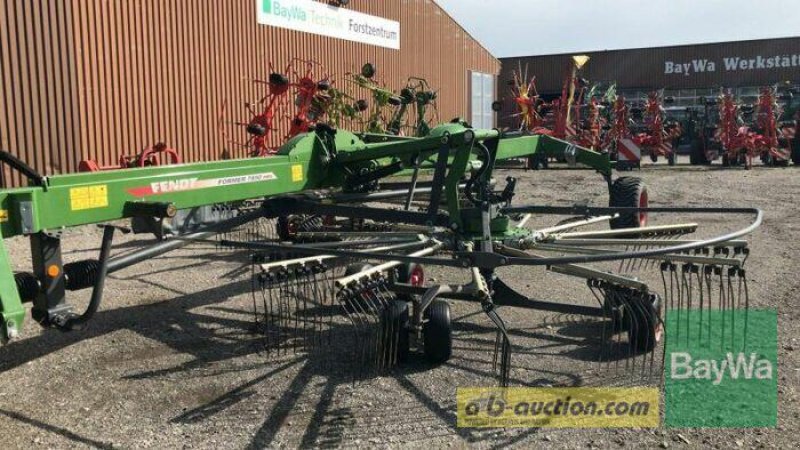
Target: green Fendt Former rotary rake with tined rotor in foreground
[[345, 222]]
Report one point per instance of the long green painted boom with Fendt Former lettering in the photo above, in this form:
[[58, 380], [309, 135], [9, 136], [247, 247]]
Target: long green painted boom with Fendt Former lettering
[[309, 161]]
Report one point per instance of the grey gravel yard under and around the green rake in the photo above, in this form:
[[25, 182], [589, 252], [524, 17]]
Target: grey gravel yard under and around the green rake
[[170, 360]]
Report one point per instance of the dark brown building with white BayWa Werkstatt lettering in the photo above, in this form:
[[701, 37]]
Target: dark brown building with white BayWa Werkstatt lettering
[[686, 72]]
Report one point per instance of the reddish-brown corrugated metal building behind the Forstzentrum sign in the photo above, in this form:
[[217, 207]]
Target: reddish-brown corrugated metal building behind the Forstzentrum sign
[[94, 79]]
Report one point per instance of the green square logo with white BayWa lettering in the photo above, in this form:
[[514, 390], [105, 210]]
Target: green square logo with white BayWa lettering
[[722, 368]]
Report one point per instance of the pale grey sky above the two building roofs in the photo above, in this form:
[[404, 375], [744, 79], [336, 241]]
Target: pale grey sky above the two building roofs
[[538, 27]]
